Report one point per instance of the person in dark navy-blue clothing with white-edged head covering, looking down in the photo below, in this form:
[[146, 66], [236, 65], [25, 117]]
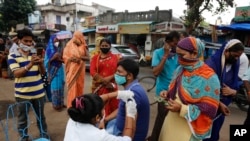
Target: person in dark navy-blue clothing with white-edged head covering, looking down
[[225, 62]]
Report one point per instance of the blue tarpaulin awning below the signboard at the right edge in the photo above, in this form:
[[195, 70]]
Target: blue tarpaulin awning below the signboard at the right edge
[[235, 26]]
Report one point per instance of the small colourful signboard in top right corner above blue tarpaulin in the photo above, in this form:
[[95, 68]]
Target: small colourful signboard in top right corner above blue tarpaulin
[[242, 14]]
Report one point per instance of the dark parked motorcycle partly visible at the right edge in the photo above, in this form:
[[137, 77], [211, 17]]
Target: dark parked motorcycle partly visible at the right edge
[[241, 99]]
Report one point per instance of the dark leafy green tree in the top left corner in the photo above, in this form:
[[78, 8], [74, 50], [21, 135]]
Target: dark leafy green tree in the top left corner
[[15, 12]]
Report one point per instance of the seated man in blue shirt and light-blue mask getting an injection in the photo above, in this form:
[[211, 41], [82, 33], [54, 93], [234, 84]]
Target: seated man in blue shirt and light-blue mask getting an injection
[[126, 76]]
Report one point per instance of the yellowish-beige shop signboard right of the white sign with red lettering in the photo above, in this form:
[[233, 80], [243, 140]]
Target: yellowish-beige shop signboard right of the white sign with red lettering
[[134, 29]]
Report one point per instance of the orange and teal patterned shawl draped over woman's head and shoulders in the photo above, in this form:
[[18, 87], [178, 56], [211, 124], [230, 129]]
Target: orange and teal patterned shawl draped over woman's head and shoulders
[[198, 87]]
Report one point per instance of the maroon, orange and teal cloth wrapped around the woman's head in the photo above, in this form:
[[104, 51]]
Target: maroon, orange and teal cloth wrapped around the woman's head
[[192, 44]]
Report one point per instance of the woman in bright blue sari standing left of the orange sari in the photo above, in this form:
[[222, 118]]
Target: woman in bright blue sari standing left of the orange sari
[[55, 71]]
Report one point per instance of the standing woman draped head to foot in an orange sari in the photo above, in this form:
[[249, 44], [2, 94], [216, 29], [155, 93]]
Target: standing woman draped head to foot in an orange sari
[[74, 55]]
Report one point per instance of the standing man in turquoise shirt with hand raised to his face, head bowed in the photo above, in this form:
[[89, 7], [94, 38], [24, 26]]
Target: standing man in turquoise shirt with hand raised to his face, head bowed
[[164, 63]]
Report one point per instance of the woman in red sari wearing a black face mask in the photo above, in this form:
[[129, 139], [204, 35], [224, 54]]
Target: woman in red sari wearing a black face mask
[[102, 69]]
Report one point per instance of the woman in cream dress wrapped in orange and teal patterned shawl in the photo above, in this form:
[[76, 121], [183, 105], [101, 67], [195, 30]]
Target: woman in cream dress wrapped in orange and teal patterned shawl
[[193, 96]]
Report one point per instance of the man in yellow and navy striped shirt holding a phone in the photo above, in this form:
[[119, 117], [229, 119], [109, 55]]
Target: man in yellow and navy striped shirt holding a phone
[[27, 69]]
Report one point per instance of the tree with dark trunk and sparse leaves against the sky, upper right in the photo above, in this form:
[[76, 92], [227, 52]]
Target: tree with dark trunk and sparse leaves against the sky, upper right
[[193, 15]]
